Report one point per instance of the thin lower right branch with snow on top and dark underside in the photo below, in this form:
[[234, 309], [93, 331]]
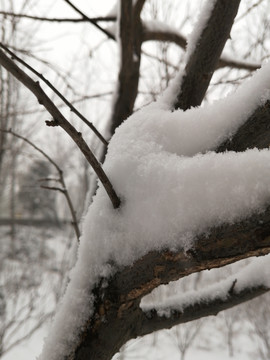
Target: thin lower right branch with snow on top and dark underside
[[246, 285]]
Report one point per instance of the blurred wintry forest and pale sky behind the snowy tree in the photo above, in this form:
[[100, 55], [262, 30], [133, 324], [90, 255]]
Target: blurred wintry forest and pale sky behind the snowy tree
[[46, 185]]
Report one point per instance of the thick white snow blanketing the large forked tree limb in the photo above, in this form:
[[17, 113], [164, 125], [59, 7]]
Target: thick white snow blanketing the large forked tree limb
[[172, 188]]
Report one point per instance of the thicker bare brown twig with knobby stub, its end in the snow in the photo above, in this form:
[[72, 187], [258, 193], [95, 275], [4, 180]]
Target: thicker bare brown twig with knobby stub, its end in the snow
[[60, 120]]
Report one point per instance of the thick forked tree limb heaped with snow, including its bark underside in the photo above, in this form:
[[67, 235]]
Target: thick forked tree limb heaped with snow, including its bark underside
[[184, 210]]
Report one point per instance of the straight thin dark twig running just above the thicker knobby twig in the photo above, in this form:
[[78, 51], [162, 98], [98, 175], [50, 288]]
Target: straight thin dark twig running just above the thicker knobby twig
[[48, 83]]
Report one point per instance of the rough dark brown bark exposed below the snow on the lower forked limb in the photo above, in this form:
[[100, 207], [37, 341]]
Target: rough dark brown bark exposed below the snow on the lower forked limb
[[118, 317]]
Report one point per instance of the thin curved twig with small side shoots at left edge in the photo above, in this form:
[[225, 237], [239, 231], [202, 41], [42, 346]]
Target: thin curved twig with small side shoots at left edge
[[61, 179]]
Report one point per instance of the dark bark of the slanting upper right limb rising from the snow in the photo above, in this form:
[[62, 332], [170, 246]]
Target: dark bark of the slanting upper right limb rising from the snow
[[204, 60]]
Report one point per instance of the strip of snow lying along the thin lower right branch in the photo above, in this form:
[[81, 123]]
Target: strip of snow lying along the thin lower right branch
[[248, 277]]
